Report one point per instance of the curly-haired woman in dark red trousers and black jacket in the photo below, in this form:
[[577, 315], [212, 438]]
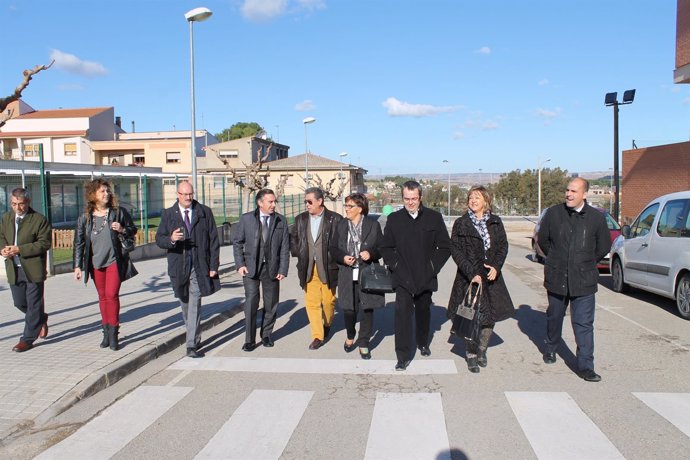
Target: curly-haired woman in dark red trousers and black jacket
[[102, 241]]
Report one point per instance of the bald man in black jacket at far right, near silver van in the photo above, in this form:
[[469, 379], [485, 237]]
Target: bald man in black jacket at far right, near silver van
[[574, 237]]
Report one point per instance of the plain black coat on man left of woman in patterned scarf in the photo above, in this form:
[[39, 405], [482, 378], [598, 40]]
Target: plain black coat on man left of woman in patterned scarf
[[415, 250]]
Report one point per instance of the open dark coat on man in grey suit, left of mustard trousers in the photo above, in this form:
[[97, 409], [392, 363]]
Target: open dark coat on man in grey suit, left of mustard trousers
[[245, 244]]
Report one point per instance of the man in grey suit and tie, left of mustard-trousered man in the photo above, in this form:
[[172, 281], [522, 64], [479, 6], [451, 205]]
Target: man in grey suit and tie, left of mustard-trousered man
[[261, 246]]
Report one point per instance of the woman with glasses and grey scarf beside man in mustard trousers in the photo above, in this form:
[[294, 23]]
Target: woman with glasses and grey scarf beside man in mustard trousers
[[354, 247]]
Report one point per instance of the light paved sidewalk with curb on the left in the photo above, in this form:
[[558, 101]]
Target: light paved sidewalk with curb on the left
[[69, 365]]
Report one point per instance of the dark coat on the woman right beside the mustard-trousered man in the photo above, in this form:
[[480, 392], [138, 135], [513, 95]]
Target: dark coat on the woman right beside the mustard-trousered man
[[371, 238]]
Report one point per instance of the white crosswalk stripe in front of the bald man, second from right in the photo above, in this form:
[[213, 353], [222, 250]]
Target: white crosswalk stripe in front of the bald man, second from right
[[557, 428]]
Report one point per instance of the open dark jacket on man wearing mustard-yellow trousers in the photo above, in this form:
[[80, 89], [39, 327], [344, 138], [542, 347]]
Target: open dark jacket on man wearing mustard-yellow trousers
[[299, 246]]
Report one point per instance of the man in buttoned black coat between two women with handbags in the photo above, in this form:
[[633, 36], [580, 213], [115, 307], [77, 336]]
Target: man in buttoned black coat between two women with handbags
[[415, 247]]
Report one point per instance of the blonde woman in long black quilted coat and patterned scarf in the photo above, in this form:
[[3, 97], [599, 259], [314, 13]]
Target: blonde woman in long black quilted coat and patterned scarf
[[479, 247]]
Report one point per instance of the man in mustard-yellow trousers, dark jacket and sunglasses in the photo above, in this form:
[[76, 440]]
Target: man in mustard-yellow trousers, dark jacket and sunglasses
[[310, 238]]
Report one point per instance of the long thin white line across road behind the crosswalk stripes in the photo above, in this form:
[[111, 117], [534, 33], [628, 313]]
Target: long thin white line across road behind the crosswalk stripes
[[315, 366]]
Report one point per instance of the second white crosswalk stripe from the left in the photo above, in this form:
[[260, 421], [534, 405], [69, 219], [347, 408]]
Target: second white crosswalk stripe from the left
[[249, 435]]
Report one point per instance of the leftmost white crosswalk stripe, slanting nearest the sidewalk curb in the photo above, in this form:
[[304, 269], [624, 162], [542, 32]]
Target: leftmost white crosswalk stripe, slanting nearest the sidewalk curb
[[105, 435]]
